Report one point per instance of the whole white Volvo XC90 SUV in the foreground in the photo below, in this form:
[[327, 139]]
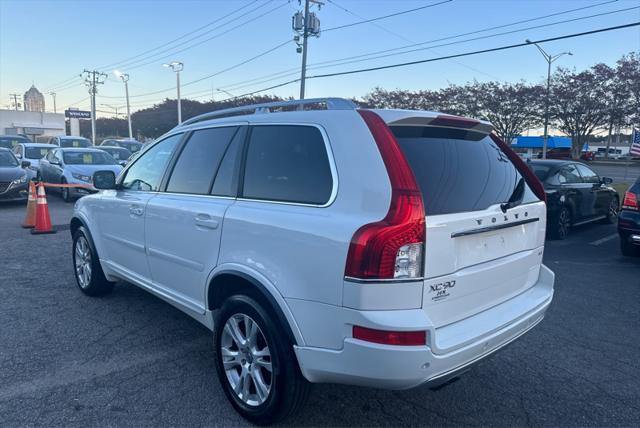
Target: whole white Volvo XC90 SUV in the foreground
[[325, 243]]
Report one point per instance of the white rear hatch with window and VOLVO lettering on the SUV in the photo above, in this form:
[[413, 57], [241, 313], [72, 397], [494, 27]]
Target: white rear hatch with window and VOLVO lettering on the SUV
[[479, 252]]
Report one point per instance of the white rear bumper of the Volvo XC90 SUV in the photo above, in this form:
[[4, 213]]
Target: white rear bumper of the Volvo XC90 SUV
[[395, 367]]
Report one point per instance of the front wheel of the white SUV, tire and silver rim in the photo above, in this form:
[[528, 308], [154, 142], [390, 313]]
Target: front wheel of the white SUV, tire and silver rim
[[94, 283]]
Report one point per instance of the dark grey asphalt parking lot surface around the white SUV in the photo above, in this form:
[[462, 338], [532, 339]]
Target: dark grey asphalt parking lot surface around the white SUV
[[130, 359]]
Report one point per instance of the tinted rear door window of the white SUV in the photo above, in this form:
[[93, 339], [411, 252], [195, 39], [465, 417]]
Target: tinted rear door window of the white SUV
[[197, 165]]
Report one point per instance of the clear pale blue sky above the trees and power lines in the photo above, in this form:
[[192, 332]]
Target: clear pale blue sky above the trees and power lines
[[49, 43]]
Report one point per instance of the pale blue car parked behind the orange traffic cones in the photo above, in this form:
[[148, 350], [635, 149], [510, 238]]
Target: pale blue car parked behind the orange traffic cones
[[75, 166]]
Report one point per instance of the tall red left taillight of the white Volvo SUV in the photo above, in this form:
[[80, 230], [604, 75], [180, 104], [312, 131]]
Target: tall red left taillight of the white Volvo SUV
[[392, 248]]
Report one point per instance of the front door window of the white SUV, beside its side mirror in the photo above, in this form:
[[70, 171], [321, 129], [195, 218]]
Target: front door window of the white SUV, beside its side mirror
[[146, 173]]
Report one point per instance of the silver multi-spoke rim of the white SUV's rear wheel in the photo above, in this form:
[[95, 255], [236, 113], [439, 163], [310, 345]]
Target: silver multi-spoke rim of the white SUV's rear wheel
[[246, 359]]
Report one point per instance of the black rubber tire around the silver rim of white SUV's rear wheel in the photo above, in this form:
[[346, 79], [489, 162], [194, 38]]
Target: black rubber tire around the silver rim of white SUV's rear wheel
[[288, 388]]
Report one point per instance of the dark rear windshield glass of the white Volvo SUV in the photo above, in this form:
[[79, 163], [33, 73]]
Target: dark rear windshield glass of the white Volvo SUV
[[458, 170]]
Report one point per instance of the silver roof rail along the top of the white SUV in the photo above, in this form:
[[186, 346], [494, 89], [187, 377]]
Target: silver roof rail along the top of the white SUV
[[330, 103]]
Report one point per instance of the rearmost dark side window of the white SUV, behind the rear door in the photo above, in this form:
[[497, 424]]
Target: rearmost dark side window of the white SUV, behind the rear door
[[287, 163]]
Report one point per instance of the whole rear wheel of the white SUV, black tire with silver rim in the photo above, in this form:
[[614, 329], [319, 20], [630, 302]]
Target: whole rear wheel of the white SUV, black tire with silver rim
[[255, 362]]
